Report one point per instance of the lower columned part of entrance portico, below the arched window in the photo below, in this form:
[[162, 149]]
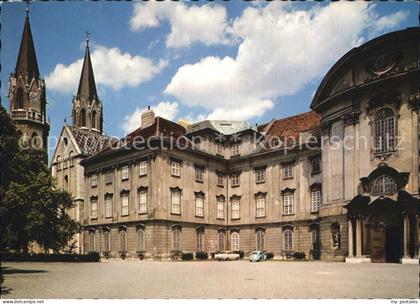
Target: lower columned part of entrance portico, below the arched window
[[384, 230]]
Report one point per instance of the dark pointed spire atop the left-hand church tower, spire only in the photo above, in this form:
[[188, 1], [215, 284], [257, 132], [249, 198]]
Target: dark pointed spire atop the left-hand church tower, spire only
[[26, 62]]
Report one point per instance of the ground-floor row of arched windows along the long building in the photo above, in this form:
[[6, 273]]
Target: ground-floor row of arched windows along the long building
[[288, 239]]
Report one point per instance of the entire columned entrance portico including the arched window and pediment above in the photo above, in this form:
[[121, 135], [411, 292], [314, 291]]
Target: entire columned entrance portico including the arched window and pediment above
[[383, 222]]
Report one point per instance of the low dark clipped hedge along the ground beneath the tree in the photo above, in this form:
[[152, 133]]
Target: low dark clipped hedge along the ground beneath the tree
[[54, 257]]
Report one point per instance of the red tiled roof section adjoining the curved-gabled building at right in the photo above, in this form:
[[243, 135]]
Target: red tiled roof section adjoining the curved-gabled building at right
[[294, 125]]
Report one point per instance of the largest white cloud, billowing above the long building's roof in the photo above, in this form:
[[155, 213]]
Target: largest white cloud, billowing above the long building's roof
[[281, 50]]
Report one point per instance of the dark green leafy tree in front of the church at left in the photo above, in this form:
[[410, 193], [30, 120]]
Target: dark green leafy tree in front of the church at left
[[31, 210]]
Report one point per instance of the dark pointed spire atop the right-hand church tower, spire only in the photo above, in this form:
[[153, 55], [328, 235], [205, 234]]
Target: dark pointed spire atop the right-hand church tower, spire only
[[87, 86]]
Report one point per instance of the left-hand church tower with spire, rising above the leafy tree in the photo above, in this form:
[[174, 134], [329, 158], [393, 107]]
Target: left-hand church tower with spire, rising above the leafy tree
[[27, 95]]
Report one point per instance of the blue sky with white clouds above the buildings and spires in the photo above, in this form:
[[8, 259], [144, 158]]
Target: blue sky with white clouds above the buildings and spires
[[220, 60]]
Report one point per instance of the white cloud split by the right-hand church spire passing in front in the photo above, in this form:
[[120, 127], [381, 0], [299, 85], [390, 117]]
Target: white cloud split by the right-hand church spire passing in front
[[112, 68]]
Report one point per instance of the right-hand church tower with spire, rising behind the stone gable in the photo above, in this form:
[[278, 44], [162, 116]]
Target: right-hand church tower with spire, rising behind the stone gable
[[87, 110]]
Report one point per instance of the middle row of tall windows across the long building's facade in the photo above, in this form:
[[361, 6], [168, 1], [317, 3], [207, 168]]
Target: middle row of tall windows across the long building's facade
[[176, 195]]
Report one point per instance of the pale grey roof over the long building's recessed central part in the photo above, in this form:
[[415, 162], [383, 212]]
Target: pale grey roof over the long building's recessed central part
[[225, 127]]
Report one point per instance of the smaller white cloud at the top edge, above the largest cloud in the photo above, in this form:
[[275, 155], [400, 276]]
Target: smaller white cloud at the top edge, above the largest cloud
[[205, 23]]
